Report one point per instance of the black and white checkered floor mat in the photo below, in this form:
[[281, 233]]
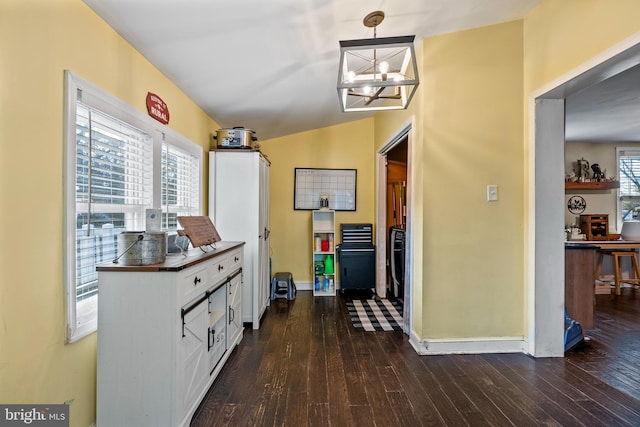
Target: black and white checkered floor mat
[[375, 315]]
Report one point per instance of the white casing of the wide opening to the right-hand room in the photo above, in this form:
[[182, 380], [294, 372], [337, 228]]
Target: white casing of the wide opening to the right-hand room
[[546, 194]]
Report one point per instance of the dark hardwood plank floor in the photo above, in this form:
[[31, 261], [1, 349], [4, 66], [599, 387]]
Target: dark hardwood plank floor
[[307, 366]]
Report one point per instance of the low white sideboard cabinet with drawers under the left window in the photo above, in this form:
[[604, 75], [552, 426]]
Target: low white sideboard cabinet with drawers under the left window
[[164, 333]]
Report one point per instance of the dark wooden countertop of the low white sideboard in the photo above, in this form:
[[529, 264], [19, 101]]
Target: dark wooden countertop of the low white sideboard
[[176, 261]]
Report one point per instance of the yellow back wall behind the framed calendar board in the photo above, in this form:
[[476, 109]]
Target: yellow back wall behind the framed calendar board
[[347, 146]]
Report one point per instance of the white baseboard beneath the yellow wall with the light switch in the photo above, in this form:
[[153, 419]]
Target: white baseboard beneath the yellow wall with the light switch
[[467, 346]]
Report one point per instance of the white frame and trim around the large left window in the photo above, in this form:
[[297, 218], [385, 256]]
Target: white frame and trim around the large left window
[[97, 98]]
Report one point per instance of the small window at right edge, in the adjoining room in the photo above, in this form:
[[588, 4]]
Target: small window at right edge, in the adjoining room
[[629, 178]]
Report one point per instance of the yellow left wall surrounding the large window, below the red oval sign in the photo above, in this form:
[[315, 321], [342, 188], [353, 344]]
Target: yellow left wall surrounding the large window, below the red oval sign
[[38, 41]]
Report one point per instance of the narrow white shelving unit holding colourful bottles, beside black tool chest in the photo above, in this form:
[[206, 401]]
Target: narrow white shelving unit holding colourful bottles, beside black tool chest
[[323, 226]]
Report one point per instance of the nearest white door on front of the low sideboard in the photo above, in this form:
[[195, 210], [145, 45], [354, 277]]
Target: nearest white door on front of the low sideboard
[[192, 374]]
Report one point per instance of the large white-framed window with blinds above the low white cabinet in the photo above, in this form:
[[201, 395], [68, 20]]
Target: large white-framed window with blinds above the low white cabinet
[[119, 163]]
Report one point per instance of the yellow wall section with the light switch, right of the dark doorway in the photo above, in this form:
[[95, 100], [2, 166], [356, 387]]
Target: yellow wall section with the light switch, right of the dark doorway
[[472, 138]]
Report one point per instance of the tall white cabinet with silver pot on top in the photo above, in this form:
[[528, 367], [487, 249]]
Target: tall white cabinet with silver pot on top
[[239, 208]]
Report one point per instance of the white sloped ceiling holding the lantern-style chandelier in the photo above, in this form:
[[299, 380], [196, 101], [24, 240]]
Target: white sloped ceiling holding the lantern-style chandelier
[[272, 66]]
